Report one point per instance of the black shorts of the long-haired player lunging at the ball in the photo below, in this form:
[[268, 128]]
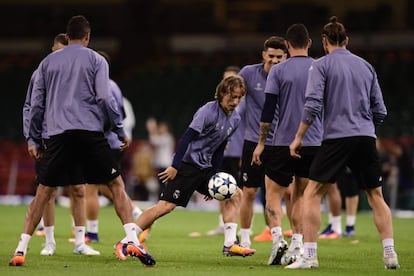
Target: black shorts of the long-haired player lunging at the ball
[[189, 178]]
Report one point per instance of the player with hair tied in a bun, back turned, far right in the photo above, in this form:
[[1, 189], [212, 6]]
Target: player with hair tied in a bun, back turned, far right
[[346, 88]]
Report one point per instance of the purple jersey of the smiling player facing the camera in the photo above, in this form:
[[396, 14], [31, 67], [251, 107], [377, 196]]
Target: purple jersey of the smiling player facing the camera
[[255, 78]]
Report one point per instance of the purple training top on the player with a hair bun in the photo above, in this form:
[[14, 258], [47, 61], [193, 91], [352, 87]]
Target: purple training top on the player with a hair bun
[[346, 87]]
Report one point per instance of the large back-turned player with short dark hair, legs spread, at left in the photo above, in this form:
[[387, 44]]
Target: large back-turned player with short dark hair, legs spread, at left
[[71, 93]]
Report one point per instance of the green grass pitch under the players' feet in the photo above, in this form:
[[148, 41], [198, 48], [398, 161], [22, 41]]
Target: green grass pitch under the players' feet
[[178, 254]]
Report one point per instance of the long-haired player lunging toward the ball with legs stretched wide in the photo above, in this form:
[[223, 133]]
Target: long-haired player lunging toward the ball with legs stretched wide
[[198, 157]]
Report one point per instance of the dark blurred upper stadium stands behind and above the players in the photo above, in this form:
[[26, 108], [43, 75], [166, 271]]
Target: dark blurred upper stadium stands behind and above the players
[[168, 56]]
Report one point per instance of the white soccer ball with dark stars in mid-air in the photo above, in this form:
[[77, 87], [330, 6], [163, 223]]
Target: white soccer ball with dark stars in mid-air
[[222, 186]]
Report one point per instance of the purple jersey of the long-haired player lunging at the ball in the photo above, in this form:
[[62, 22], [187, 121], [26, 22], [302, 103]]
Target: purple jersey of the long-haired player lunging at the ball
[[214, 127]]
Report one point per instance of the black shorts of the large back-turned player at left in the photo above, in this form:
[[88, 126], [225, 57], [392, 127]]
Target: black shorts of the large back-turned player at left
[[78, 157]]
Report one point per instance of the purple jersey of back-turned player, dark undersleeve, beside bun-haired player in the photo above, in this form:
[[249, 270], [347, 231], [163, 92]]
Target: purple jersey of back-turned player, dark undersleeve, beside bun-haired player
[[287, 80]]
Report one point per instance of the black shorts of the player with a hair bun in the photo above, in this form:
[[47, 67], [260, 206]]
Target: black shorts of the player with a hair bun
[[358, 153]]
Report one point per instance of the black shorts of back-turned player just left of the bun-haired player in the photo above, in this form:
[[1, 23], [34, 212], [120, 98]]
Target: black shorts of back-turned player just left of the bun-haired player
[[281, 167]]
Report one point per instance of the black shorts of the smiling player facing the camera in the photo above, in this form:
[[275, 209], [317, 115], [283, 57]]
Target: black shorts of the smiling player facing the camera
[[252, 175]]
